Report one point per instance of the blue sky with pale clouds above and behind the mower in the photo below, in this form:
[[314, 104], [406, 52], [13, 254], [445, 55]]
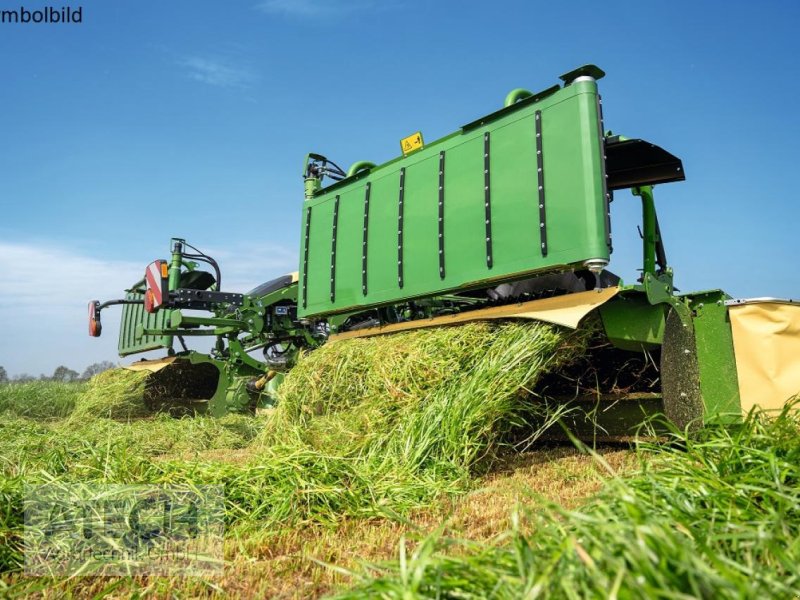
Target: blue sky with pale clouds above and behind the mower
[[192, 118]]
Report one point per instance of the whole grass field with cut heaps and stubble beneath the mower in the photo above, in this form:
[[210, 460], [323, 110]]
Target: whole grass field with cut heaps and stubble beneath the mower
[[386, 472]]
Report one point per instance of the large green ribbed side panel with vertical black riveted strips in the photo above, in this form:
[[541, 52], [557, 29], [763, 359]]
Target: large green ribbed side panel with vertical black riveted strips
[[574, 198]]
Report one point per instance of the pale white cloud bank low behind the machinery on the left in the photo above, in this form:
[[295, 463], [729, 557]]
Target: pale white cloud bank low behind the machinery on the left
[[45, 290]]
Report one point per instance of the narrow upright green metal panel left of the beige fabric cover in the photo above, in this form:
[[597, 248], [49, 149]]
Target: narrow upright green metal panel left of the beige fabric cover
[[715, 356]]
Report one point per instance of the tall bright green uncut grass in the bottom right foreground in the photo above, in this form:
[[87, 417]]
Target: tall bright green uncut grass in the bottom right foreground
[[714, 517]]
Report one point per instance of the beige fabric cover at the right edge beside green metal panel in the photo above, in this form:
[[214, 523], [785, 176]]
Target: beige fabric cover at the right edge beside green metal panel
[[766, 340]]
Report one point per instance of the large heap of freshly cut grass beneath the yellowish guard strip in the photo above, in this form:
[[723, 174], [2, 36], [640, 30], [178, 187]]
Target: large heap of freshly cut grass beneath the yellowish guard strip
[[438, 395]]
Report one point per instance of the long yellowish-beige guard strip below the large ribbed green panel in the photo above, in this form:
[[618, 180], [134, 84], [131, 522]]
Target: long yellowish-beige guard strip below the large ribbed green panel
[[565, 310]]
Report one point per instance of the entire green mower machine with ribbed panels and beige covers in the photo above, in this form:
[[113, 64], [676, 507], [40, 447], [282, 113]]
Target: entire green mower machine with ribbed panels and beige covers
[[507, 217]]
